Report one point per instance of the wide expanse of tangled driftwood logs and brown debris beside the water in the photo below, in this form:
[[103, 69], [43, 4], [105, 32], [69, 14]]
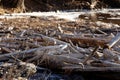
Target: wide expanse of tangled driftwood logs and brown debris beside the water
[[71, 46]]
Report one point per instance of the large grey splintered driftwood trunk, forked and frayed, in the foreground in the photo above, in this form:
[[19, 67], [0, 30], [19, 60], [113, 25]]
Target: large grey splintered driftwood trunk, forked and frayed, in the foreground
[[44, 54]]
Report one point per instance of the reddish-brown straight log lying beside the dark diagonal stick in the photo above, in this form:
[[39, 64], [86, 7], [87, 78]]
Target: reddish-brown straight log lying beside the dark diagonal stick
[[87, 41]]
